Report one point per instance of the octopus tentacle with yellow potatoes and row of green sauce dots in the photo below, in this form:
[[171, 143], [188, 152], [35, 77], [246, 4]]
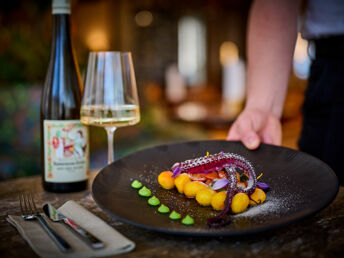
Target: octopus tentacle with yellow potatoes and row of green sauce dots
[[225, 181]]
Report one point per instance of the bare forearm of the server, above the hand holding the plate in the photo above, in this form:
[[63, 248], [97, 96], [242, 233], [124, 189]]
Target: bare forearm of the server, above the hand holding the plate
[[272, 32]]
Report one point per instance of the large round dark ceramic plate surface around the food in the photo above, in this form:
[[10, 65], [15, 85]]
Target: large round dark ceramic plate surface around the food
[[301, 185]]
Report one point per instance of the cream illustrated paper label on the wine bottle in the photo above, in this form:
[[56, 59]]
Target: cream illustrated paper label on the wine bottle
[[66, 151]]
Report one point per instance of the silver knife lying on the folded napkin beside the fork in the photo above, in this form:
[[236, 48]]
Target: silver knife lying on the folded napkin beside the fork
[[56, 216]]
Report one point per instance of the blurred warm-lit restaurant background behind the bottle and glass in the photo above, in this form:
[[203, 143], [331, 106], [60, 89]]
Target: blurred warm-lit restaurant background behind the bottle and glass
[[189, 58]]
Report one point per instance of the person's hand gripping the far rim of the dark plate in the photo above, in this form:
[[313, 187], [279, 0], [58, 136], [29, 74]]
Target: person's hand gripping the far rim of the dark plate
[[254, 126]]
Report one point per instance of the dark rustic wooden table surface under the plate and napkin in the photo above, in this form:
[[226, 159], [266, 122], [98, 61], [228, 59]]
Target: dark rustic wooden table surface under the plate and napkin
[[319, 236]]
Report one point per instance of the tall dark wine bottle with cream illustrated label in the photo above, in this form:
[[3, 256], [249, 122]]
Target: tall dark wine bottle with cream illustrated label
[[64, 139]]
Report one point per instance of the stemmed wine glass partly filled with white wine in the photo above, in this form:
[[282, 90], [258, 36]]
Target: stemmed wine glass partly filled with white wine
[[110, 97]]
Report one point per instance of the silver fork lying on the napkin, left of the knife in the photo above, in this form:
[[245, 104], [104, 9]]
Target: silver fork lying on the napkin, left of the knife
[[30, 212]]
